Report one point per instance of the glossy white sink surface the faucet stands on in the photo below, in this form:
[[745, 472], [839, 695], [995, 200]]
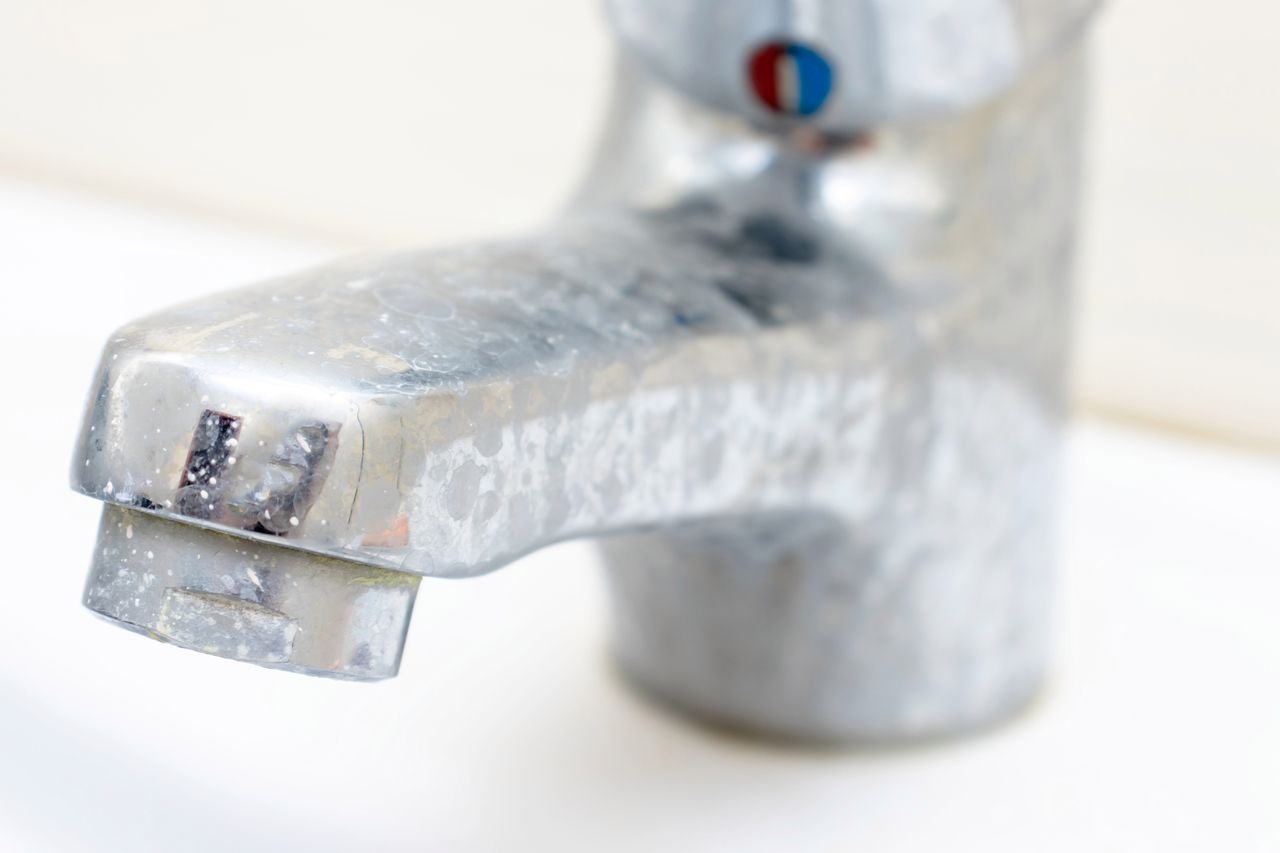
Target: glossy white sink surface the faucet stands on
[[508, 728]]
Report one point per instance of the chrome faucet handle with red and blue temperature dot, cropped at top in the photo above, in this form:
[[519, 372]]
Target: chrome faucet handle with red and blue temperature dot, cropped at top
[[842, 66]]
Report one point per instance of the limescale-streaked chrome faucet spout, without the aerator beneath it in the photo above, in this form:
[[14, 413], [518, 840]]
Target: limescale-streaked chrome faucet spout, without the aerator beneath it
[[445, 413]]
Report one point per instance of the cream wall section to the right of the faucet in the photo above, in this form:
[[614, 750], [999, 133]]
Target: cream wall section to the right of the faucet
[[1182, 271]]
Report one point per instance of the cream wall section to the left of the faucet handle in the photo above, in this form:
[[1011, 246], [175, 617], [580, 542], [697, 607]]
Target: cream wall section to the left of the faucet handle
[[382, 121]]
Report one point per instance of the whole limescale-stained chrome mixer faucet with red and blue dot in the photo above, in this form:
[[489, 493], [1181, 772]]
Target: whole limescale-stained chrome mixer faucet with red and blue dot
[[794, 354]]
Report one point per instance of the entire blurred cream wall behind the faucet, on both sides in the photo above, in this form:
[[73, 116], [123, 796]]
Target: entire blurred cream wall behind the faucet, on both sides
[[388, 122]]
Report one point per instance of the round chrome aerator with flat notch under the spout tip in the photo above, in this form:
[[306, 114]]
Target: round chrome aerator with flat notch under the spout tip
[[249, 600]]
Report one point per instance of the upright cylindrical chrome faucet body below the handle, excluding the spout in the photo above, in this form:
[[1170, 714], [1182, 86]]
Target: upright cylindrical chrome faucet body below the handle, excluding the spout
[[917, 603]]
